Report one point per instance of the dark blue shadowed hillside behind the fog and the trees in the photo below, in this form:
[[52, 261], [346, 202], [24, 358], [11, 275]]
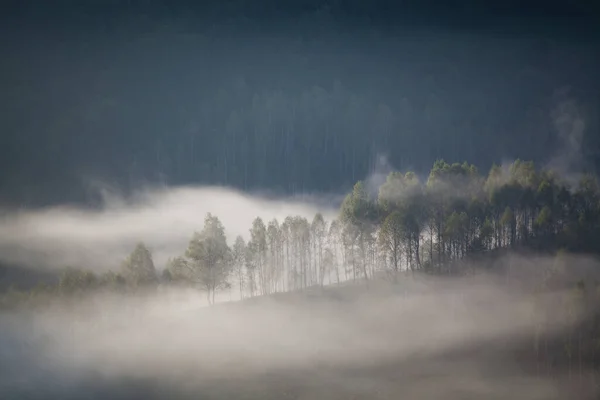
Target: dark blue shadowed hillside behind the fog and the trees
[[289, 96]]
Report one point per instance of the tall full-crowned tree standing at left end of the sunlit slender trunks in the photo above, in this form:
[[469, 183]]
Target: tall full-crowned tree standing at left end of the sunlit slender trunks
[[210, 260]]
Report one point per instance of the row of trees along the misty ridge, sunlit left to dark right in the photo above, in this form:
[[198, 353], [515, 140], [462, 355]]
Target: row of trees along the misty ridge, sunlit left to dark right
[[412, 225]]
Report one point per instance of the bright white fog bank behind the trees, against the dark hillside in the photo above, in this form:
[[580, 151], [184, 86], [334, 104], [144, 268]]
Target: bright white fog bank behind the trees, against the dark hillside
[[163, 218]]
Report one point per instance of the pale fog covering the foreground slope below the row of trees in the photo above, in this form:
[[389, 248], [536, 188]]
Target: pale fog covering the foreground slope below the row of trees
[[421, 339]]
